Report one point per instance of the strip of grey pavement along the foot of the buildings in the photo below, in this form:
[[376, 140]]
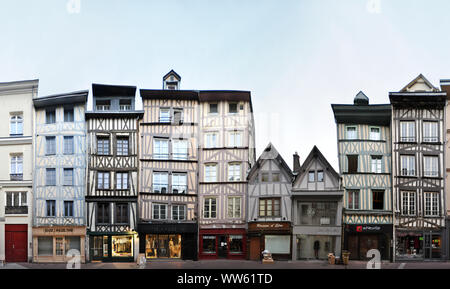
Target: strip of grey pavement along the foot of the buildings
[[233, 265]]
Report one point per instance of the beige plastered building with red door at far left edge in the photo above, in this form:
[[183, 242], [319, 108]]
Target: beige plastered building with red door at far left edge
[[16, 154]]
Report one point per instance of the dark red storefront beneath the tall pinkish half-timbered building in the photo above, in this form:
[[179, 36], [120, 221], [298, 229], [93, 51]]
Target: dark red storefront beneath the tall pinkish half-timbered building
[[222, 244]]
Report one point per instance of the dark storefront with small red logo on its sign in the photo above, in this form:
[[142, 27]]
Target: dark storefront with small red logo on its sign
[[359, 239]]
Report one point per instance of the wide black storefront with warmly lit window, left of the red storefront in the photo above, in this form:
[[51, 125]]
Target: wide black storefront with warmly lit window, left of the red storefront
[[168, 241]]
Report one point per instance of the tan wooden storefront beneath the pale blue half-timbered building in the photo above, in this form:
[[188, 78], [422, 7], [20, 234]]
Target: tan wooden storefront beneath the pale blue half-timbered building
[[51, 244]]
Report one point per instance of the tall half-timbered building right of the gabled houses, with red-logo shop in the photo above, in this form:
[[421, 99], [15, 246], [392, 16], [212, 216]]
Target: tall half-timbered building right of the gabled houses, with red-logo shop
[[364, 152]]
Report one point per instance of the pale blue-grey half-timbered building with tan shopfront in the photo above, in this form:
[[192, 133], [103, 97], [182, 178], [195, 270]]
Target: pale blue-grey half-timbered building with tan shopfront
[[59, 181]]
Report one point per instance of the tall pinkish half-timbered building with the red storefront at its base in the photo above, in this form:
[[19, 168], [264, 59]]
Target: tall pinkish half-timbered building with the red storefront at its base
[[227, 153]]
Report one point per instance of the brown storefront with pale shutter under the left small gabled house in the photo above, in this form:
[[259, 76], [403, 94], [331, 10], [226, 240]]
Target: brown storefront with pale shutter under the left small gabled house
[[272, 236]]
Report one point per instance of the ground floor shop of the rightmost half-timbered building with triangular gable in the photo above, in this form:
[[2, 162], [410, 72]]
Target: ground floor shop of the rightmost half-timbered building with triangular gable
[[419, 245]]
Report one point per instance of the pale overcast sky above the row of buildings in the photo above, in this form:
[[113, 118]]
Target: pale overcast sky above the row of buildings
[[296, 57]]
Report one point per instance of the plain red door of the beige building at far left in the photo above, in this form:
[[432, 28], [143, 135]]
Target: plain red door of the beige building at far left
[[16, 243]]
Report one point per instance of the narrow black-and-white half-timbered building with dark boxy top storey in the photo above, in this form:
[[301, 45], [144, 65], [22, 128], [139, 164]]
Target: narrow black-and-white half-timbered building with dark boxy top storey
[[112, 180]]
